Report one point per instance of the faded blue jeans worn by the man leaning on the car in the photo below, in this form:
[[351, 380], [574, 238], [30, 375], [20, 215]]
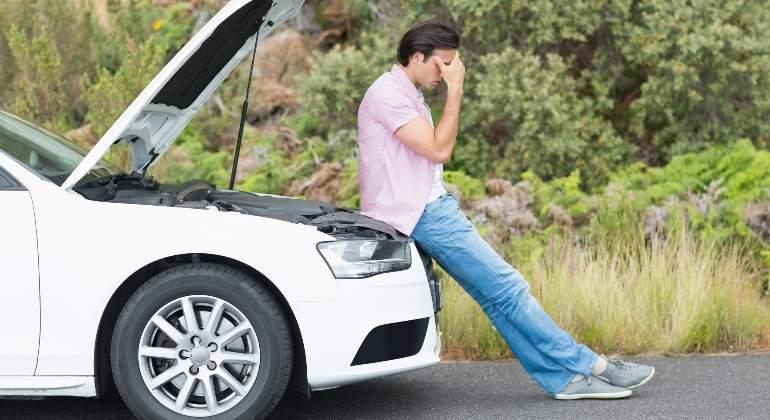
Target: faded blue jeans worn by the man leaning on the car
[[546, 352]]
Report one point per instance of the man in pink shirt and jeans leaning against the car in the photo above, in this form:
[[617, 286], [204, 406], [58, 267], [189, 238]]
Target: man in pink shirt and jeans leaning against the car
[[400, 163]]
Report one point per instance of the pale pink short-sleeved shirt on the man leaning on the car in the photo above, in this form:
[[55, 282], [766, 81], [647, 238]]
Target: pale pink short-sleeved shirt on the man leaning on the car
[[394, 180]]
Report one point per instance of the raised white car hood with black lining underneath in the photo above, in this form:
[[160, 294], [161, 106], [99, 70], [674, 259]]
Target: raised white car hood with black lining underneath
[[162, 110]]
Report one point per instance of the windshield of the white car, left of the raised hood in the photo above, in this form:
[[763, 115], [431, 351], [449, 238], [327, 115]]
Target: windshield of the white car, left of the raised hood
[[44, 152]]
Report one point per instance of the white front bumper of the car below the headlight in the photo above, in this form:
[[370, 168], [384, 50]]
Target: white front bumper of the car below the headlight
[[334, 332]]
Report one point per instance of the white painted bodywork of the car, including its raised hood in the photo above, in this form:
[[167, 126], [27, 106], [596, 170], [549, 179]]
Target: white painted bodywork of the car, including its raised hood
[[64, 257]]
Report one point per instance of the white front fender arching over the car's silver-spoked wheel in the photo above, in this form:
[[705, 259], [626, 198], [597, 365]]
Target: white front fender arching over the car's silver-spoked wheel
[[88, 249]]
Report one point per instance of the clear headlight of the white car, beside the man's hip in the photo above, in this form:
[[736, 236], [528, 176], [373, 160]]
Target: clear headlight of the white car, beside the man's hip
[[359, 258]]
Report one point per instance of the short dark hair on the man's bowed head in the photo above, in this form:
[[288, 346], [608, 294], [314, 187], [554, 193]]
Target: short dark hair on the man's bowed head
[[425, 37]]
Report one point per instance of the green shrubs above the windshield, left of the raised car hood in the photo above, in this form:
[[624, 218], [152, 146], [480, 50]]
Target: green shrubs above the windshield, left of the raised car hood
[[66, 69]]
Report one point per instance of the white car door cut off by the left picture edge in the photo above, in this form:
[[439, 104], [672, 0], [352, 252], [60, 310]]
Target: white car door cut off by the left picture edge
[[19, 286]]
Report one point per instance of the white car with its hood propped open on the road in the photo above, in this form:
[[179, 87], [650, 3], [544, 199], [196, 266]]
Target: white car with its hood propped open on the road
[[193, 301]]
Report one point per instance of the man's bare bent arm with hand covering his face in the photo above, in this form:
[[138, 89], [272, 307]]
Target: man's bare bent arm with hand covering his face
[[437, 144]]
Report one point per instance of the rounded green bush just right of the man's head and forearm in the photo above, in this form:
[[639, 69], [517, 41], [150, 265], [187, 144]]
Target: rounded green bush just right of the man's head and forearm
[[533, 110]]
